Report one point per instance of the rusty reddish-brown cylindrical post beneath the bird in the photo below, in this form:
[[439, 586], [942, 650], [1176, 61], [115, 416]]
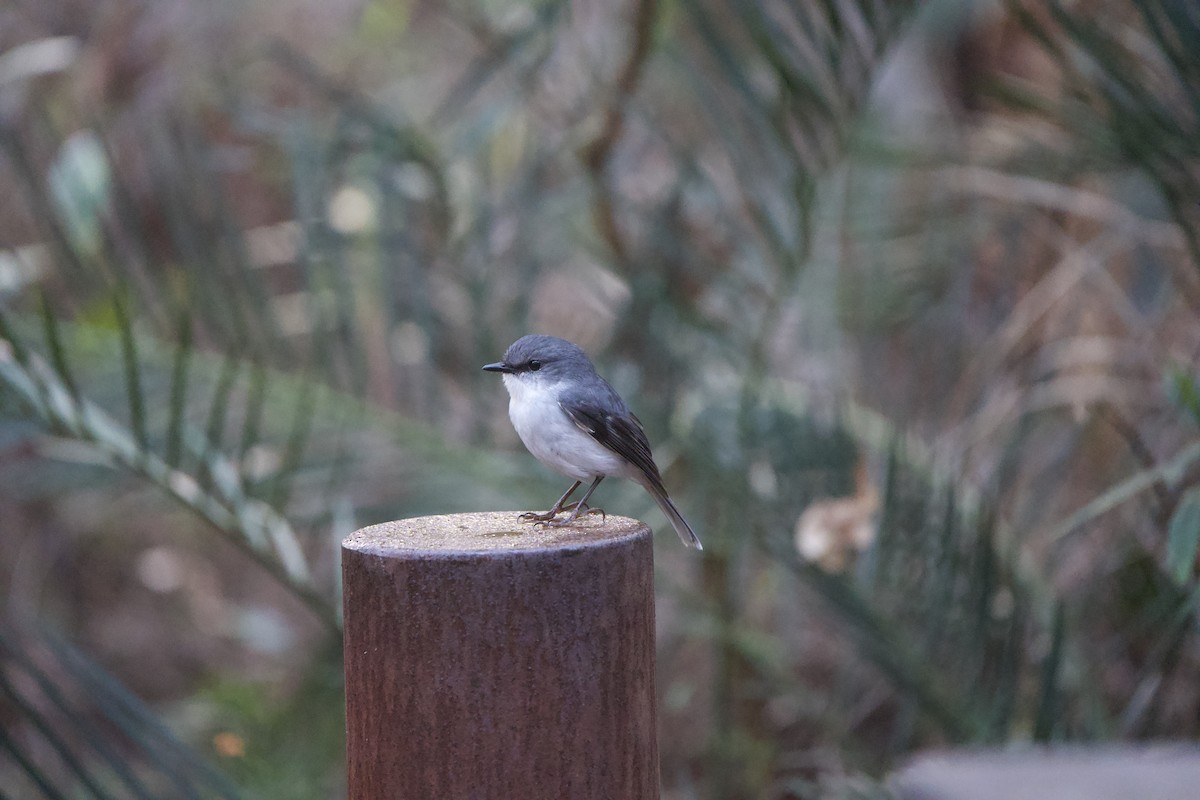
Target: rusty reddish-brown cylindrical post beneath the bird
[[490, 659]]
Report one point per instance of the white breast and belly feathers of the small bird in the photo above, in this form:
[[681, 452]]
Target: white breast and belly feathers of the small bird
[[551, 436]]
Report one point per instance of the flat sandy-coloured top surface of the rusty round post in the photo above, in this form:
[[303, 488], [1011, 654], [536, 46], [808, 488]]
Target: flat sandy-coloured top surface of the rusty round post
[[495, 532]]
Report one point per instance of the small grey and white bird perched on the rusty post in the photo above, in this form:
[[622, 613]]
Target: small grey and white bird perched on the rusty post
[[577, 424]]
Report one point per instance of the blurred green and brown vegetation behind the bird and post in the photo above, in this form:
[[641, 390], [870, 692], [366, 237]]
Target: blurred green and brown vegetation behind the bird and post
[[907, 294]]
